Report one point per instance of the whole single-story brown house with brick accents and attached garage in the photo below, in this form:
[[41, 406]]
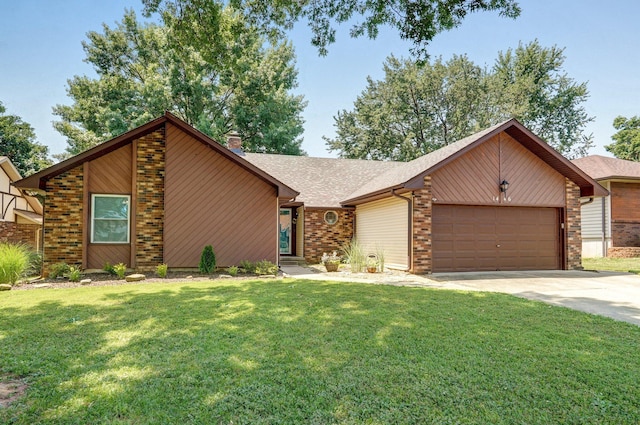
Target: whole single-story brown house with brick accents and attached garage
[[444, 211]]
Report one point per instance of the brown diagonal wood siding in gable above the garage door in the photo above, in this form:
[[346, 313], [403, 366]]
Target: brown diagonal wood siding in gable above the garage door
[[475, 177]]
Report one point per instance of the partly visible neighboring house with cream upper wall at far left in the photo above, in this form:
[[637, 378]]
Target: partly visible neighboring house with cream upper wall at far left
[[20, 214]]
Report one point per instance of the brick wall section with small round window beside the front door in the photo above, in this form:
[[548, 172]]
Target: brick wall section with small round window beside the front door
[[320, 237]]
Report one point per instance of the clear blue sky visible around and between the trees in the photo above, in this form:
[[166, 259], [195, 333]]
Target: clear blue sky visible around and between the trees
[[40, 49]]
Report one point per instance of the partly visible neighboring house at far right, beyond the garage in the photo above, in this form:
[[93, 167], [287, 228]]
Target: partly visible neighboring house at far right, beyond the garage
[[613, 221]]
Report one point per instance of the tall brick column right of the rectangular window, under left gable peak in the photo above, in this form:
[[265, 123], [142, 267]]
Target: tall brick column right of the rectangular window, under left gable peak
[[150, 171]]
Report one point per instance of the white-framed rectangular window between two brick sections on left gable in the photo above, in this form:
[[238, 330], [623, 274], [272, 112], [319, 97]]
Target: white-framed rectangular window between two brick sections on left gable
[[110, 218]]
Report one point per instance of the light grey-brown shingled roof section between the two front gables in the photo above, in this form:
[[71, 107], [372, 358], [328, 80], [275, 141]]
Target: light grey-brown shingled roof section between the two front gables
[[322, 182]]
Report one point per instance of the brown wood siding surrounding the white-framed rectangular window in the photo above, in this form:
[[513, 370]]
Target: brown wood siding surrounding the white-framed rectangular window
[[108, 174]]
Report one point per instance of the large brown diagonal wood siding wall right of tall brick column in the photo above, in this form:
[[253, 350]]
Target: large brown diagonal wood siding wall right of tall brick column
[[211, 200]]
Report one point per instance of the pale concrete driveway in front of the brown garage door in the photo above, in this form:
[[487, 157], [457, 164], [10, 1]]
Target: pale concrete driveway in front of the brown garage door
[[611, 294]]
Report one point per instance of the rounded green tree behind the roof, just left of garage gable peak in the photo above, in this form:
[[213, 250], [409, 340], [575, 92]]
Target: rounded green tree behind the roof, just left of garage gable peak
[[416, 109]]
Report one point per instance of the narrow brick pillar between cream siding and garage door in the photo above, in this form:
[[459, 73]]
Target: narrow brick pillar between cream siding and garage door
[[422, 245]]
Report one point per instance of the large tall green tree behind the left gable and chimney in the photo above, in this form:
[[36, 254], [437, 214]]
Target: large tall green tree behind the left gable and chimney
[[144, 70]]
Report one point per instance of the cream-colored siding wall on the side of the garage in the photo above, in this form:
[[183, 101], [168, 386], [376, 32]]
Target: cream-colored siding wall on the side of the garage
[[384, 223]]
